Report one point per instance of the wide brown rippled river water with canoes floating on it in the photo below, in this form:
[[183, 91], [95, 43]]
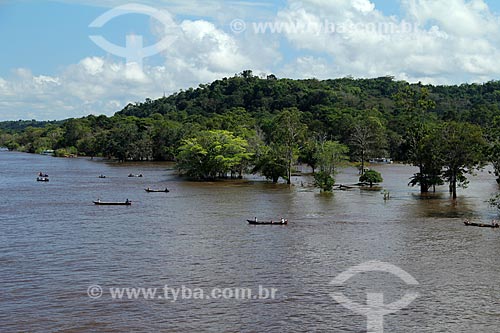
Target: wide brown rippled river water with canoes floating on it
[[55, 243]]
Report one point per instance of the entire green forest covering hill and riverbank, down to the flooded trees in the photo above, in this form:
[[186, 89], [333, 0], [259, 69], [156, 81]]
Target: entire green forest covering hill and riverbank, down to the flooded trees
[[265, 125]]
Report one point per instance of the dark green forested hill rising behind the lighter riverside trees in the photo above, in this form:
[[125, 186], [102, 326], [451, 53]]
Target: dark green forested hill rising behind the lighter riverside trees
[[321, 100]]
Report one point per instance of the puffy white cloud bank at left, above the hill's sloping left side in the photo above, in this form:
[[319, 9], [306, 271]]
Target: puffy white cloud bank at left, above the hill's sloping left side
[[201, 53]]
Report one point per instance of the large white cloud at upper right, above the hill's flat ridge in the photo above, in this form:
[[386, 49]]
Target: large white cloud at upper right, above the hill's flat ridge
[[435, 41]]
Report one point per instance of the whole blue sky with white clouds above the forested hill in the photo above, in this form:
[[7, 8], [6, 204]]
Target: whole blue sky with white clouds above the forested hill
[[72, 58]]
